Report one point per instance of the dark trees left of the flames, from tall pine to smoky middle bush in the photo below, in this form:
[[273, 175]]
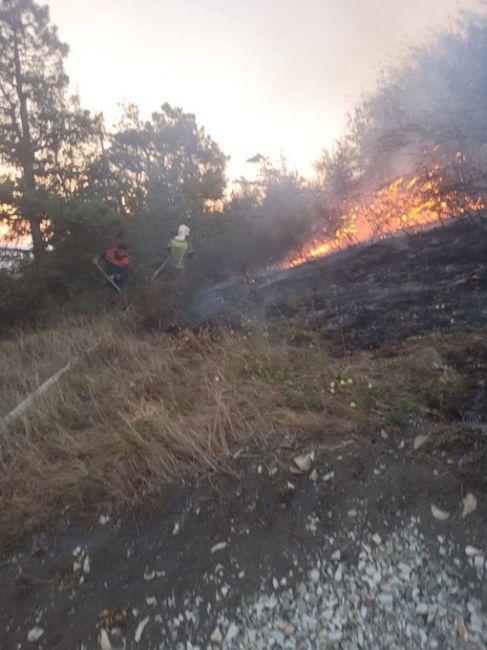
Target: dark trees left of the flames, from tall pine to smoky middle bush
[[76, 187]]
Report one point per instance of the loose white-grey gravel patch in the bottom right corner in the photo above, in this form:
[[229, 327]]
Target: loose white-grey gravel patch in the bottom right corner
[[394, 595]]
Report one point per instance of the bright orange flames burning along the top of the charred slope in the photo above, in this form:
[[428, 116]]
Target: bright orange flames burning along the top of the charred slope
[[406, 204]]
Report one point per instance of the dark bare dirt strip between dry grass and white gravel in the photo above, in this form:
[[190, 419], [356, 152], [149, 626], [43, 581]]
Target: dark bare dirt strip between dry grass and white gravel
[[188, 567]]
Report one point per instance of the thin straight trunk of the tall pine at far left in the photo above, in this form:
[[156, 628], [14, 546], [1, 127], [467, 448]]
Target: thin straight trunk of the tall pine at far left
[[27, 152]]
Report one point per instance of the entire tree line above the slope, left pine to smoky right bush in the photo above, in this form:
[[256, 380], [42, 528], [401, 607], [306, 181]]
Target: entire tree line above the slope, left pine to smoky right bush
[[76, 186]]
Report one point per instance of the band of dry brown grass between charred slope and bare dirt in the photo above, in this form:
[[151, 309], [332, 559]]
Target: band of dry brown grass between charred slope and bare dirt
[[139, 410]]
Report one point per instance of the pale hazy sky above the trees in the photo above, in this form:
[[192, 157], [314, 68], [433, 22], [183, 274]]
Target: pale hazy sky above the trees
[[261, 75]]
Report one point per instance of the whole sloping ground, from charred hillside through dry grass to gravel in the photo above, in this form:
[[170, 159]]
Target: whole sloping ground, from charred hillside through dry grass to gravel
[[307, 480]]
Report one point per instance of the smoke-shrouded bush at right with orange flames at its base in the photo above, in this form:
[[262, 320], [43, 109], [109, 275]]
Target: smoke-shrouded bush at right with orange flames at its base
[[415, 150]]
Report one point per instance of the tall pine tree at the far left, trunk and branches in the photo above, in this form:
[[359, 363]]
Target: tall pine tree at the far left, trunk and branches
[[43, 133]]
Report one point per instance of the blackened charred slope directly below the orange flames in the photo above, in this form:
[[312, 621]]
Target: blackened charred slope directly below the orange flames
[[367, 295]]
